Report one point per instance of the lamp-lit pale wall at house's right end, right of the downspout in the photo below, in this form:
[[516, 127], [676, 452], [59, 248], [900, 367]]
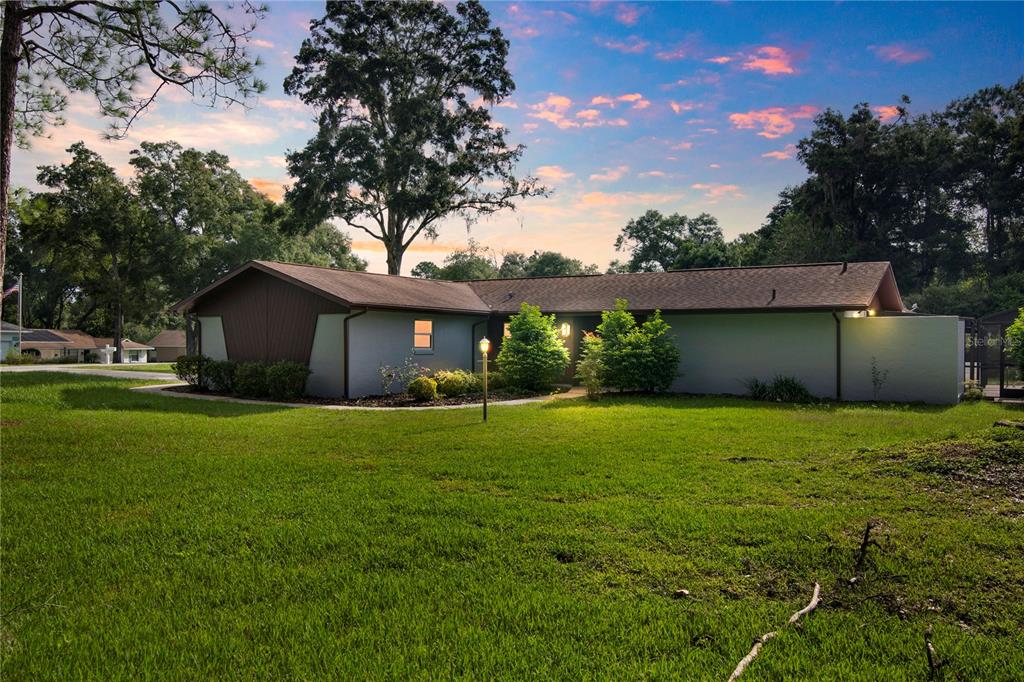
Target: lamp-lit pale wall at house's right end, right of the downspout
[[922, 355]]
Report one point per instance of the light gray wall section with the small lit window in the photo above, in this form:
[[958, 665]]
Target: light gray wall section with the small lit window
[[387, 338]]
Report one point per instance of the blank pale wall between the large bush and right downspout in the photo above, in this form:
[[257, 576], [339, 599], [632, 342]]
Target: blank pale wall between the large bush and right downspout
[[719, 354]]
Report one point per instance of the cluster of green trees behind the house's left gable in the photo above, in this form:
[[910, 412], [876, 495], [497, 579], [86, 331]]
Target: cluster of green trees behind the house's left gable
[[98, 251]]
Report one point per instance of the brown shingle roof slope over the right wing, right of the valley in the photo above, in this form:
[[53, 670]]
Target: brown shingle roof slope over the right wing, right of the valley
[[790, 287]]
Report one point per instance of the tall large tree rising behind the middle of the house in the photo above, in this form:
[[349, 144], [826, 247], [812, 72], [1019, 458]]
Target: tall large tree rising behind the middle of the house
[[406, 138]]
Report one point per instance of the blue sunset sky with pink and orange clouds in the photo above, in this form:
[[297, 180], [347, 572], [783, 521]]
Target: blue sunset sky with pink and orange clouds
[[625, 107]]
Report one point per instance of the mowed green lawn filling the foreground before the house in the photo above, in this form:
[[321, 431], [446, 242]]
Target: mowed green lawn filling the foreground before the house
[[147, 536]]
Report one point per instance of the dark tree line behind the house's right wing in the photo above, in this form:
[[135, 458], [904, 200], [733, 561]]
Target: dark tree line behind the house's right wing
[[941, 196]]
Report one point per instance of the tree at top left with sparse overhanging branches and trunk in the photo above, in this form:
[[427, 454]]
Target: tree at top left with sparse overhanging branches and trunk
[[105, 48]]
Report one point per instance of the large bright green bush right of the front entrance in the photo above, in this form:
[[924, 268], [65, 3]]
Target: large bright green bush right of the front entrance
[[637, 358]]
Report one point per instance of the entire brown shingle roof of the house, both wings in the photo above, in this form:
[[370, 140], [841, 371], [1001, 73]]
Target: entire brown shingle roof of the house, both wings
[[822, 286]]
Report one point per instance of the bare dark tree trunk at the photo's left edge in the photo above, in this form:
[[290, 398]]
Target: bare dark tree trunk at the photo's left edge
[[11, 54]]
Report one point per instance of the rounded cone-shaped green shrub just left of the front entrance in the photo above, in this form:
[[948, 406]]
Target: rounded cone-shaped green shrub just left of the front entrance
[[533, 357]]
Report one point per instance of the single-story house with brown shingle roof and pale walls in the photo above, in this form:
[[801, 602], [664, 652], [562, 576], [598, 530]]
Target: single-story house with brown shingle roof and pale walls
[[842, 329]]
